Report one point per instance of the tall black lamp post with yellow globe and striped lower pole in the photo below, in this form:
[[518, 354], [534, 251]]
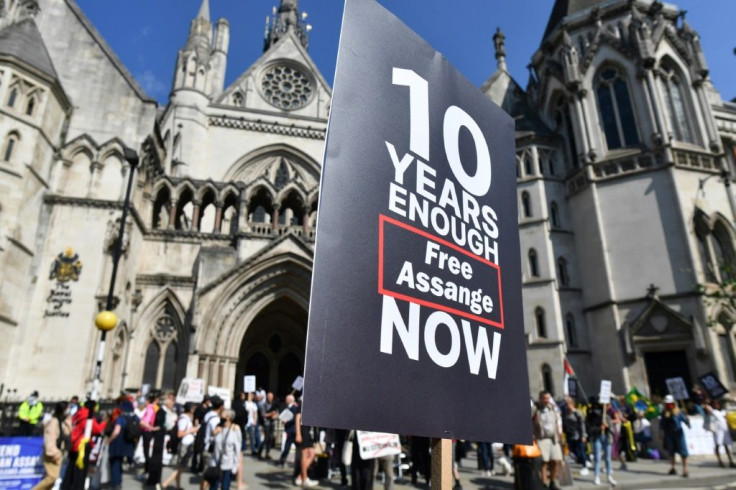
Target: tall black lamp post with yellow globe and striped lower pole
[[107, 320]]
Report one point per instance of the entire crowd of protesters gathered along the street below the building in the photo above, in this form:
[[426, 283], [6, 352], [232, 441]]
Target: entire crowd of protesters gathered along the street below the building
[[211, 440]]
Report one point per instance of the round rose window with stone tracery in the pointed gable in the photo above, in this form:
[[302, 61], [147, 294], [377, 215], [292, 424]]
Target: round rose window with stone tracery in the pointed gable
[[286, 87]]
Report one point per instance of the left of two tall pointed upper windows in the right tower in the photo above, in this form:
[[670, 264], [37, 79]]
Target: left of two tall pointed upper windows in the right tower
[[615, 109]]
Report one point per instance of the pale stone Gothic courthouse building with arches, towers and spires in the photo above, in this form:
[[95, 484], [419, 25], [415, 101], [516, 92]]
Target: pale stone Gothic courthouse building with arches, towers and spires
[[624, 150]]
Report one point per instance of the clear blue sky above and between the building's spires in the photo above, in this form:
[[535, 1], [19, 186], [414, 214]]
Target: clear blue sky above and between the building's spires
[[147, 34]]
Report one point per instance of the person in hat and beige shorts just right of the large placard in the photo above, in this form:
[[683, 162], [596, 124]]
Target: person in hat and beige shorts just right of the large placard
[[547, 429]]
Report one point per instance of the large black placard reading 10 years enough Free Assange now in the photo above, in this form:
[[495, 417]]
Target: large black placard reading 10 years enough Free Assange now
[[415, 322]]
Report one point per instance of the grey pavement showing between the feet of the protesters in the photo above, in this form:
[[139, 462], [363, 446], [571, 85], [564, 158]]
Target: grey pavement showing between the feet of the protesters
[[644, 474]]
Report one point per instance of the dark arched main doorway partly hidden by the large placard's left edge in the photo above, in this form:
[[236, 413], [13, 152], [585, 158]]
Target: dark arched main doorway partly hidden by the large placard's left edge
[[273, 347]]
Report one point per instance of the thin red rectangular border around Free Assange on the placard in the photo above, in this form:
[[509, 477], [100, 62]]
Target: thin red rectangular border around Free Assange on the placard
[[382, 219]]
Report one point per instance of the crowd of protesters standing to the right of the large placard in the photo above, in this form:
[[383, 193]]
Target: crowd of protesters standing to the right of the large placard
[[596, 434]]
